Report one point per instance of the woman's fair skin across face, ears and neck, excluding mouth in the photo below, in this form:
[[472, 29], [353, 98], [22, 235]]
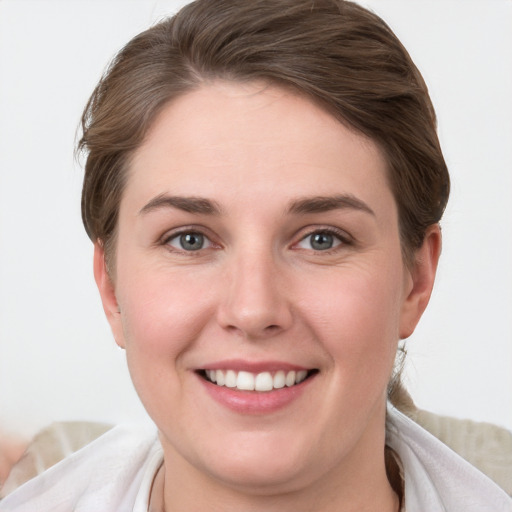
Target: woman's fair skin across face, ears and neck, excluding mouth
[[259, 290]]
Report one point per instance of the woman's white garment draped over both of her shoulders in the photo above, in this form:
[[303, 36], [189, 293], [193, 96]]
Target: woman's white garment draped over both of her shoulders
[[114, 474]]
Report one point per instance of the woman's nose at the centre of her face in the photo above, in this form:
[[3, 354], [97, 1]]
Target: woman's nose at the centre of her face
[[255, 303]]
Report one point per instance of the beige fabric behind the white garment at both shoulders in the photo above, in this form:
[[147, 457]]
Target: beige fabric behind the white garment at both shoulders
[[485, 446]]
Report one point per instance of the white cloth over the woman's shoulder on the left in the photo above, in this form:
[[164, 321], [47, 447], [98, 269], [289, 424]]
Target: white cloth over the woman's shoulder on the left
[[106, 474]]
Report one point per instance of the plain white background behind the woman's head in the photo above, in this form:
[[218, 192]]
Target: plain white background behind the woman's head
[[57, 358]]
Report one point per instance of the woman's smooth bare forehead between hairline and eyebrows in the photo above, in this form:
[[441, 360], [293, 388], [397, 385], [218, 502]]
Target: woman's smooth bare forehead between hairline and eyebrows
[[257, 137]]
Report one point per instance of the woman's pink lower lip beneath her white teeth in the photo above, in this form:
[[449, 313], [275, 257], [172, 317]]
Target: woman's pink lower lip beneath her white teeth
[[255, 402]]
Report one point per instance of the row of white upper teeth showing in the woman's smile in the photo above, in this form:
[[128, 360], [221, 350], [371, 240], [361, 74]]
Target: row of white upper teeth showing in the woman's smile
[[263, 381]]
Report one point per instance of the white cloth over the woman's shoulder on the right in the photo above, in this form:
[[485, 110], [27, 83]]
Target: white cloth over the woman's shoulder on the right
[[436, 478]]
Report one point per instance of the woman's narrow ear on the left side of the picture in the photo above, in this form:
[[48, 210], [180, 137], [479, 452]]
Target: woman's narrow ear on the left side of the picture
[[108, 295]]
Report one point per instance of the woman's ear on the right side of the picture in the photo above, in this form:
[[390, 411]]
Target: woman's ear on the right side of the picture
[[421, 279]]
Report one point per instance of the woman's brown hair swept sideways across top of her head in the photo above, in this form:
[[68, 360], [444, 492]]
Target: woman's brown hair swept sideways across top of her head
[[335, 52]]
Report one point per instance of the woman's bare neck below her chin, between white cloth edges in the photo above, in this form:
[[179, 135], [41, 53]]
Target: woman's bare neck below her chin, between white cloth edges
[[362, 488]]
